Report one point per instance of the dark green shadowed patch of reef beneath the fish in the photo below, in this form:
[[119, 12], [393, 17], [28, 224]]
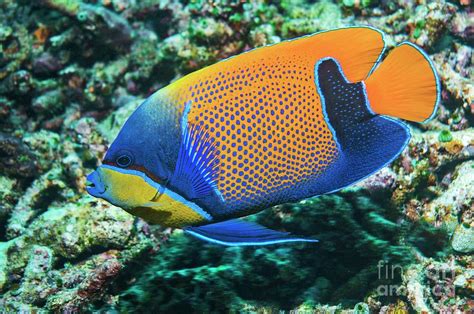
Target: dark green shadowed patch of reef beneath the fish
[[354, 233]]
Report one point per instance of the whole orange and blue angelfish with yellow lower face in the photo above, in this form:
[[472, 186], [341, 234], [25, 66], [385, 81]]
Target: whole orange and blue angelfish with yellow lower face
[[274, 125]]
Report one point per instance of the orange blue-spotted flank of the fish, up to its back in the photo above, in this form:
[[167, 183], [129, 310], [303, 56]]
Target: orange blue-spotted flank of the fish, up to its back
[[264, 113]]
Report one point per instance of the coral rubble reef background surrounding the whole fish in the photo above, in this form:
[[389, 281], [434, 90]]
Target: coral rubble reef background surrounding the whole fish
[[72, 71]]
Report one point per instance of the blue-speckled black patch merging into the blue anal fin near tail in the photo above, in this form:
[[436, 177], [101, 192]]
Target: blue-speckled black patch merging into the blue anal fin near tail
[[367, 141]]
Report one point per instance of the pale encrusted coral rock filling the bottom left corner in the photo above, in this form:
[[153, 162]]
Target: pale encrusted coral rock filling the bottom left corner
[[46, 268]]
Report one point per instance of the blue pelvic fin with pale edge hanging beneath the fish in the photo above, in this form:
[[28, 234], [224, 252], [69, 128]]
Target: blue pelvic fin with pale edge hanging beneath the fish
[[241, 233]]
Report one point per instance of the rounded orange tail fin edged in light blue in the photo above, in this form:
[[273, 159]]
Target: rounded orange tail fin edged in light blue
[[405, 85]]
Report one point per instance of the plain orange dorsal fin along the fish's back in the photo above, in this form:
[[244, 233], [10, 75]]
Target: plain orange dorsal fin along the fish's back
[[358, 49]]
